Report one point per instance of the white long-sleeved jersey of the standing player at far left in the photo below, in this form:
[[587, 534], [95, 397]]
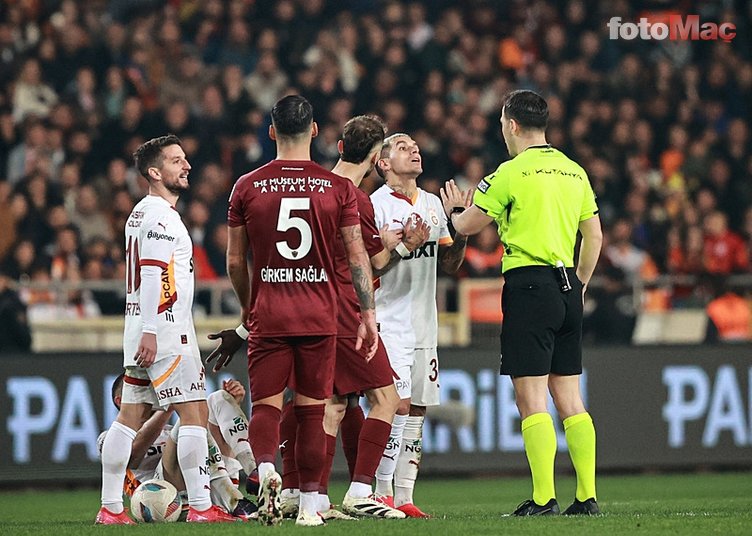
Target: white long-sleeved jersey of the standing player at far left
[[156, 236]]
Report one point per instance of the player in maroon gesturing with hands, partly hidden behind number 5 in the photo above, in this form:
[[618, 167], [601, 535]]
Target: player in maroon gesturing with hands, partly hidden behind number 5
[[363, 443]]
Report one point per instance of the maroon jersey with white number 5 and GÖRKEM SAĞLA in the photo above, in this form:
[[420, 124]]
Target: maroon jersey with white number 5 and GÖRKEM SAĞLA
[[292, 211]]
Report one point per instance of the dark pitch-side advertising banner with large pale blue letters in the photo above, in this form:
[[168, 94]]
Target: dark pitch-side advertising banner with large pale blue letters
[[662, 407]]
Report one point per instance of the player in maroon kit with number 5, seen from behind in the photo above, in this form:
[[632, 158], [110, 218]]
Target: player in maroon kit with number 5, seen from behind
[[290, 213]]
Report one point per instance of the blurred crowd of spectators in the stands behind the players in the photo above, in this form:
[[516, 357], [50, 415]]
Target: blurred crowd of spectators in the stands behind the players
[[663, 128]]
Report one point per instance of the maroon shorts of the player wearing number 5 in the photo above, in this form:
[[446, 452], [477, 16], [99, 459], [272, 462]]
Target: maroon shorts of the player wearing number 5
[[305, 364]]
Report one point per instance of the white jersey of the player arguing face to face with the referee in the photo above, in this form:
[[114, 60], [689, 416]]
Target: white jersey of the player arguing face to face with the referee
[[406, 295]]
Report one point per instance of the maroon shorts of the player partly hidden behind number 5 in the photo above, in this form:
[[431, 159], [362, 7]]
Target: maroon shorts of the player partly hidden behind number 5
[[353, 374]]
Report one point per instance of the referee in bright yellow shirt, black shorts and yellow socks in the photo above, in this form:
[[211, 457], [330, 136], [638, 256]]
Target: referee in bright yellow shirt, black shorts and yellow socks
[[540, 199]]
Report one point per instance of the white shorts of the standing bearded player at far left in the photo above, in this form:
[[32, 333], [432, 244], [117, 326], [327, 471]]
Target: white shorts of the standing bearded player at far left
[[168, 381]]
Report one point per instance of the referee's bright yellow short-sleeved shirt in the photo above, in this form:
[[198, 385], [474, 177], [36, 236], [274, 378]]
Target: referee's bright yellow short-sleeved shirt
[[538, 200]]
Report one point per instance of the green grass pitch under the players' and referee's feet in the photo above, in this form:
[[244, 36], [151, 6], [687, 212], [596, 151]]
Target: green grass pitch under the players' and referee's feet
[[645, 504]]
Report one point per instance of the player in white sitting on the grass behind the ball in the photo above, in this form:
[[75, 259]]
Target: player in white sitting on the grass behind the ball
[[154, 453]]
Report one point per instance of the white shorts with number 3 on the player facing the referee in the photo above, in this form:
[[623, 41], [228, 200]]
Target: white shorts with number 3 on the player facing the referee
[[417, 372]]
